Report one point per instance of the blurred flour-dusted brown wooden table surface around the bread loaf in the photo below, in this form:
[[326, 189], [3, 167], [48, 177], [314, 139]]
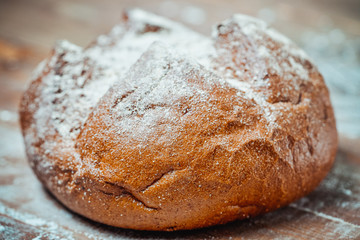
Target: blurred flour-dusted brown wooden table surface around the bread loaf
[[28, 29]]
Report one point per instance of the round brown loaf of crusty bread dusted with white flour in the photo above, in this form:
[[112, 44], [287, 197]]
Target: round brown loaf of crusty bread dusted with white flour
[[156, 127]]
